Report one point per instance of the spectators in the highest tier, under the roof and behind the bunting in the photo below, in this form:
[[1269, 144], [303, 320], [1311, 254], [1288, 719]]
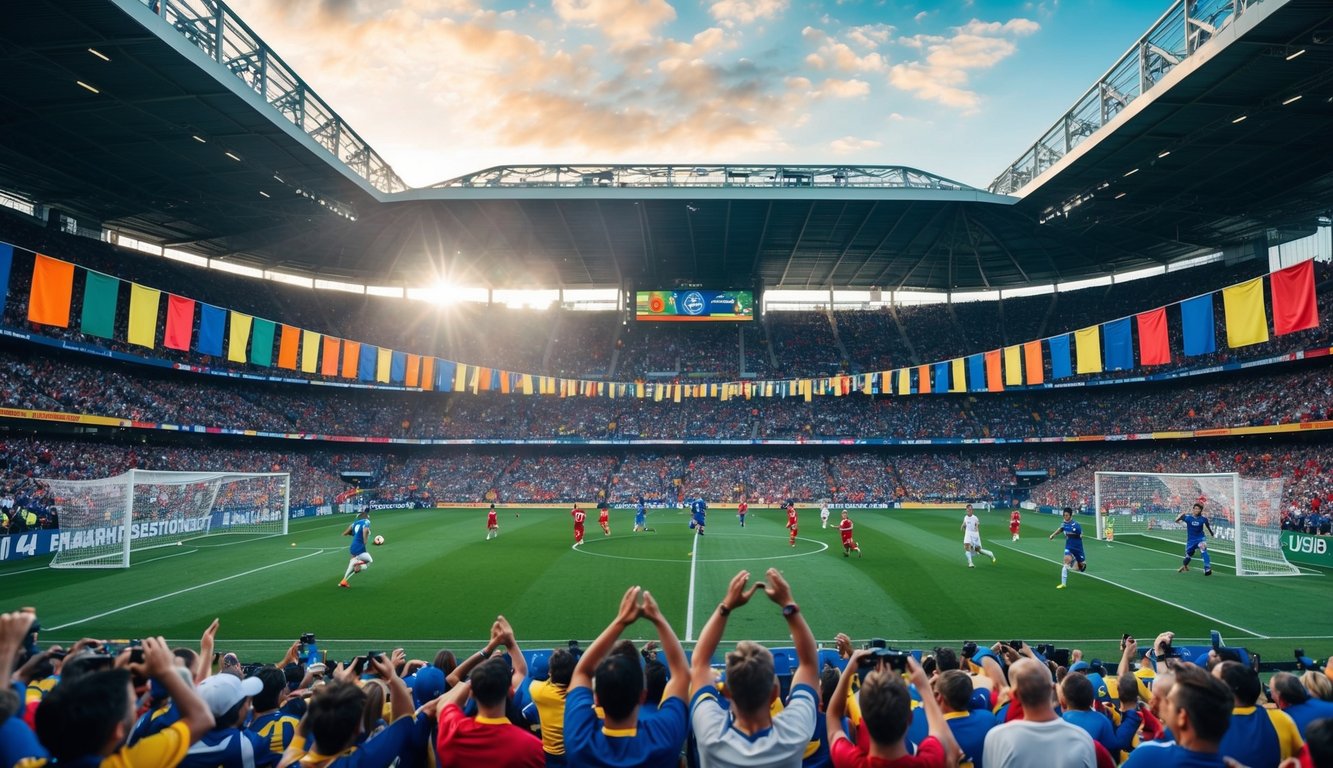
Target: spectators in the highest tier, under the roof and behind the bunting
[[603, 346]]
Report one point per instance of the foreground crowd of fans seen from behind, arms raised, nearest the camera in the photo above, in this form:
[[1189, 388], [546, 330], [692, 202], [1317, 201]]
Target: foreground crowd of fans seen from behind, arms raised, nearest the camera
[[1010, 705]]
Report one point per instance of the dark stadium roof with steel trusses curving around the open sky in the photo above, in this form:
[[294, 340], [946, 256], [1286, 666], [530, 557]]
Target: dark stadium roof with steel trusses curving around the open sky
[[153, 123]]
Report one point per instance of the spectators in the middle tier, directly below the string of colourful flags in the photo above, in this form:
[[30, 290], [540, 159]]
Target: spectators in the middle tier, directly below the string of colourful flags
[[77, 385]]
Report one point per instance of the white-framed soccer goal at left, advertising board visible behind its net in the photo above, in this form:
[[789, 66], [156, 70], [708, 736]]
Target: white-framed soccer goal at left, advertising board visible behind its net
[[103, 522]]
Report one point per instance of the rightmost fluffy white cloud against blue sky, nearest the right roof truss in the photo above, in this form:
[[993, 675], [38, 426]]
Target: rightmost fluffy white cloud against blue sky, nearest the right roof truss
[[943, 75]]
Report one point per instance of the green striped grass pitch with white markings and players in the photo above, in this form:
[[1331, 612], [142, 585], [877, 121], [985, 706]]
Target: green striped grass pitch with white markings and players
[[438, 583]]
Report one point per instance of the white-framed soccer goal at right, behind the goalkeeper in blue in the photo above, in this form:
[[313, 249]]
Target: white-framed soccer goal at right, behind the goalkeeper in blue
[[1244, 514]]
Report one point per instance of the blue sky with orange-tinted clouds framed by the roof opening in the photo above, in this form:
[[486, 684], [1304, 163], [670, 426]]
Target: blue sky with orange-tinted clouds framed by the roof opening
[[446, 87]]
